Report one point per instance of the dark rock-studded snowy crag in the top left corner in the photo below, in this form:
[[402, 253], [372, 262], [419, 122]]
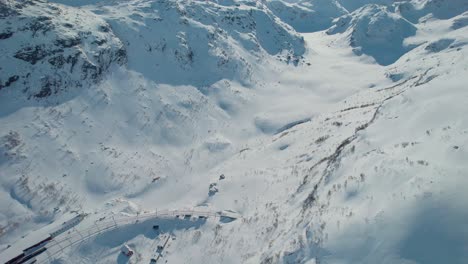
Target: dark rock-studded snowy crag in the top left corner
[[46, 48]]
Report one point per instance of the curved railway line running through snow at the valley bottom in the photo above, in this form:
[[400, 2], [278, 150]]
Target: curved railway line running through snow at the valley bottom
[[66, 238]]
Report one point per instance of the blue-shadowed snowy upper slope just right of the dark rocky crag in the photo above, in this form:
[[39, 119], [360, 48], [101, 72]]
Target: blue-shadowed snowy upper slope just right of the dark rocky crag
[[199, 42]]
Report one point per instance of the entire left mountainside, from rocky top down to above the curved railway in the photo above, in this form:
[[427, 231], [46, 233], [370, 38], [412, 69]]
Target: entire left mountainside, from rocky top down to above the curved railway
[[136, 125]]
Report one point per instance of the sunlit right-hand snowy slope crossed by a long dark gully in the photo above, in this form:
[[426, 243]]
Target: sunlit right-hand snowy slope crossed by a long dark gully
[[376, 181]]
